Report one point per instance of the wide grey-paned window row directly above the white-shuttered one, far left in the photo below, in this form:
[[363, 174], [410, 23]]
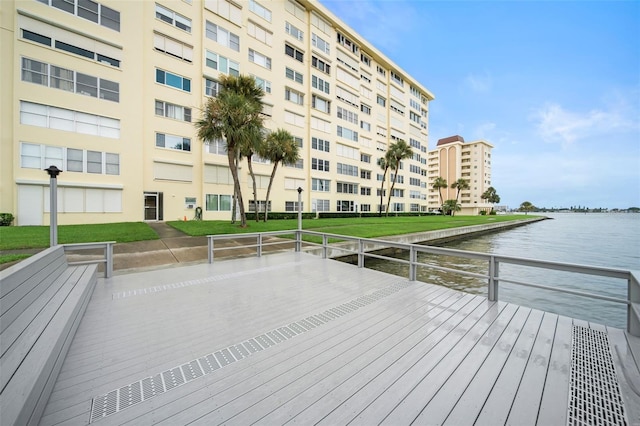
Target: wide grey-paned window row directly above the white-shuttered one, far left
[[72, 81]]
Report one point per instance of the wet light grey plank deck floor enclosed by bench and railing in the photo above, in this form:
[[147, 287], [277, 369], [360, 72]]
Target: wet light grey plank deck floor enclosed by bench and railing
[[293, 338]]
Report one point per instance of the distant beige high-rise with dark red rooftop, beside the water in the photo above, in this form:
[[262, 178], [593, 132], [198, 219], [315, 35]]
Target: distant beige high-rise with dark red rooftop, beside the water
[[454, 159]]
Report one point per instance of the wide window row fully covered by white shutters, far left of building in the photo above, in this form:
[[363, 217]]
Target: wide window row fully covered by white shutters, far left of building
[[68, 120]]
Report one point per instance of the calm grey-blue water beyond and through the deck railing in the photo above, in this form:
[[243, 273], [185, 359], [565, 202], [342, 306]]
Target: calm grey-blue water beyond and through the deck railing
[[606, 239]]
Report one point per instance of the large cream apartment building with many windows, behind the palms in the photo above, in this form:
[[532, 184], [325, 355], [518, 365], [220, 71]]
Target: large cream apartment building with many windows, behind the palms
[[109, 92]]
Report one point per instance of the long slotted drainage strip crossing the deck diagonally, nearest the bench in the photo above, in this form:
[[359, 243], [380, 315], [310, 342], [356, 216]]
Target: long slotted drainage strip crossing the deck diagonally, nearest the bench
[[142, 390]]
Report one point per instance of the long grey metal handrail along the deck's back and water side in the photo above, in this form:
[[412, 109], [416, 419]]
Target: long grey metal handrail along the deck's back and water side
[[364, 247]]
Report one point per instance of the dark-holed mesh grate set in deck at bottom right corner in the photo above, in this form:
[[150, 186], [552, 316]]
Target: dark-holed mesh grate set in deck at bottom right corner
[[594, 394]]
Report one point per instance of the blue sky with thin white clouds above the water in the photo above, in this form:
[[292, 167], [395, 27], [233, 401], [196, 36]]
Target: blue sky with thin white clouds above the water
[[553, 85]]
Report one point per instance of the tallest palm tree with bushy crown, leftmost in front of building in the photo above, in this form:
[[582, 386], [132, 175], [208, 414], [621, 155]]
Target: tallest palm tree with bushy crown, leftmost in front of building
[[235, 115]]
